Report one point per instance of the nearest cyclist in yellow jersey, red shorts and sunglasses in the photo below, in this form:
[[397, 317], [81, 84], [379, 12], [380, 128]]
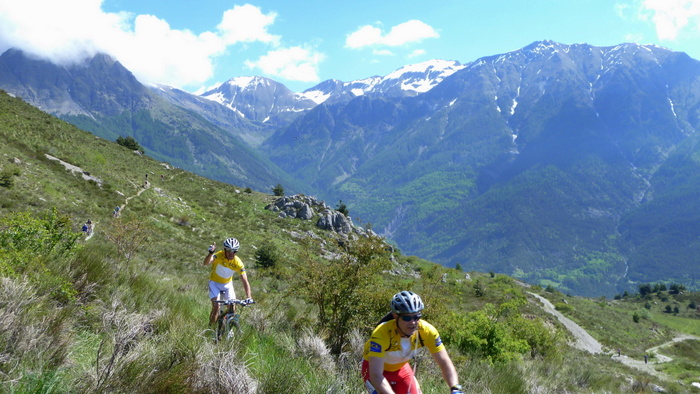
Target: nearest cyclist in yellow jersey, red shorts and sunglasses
[[394, 342]]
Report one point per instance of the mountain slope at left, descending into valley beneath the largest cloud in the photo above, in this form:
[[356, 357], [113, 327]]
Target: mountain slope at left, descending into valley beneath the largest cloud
[[103, 97]]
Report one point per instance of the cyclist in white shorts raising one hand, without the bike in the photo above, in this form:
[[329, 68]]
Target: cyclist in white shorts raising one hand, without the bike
[[224, 263]]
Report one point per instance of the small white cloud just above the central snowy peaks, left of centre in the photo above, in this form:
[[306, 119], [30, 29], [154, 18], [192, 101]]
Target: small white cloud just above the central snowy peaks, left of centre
[[295, 63]]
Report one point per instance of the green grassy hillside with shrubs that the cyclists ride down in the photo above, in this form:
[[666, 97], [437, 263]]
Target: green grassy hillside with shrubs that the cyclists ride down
[[126, 310]]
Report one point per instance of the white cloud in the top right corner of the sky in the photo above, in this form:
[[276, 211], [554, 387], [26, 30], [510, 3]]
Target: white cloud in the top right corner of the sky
[[671, 17]]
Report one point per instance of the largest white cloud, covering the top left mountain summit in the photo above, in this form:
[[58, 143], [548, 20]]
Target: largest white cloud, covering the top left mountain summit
[[71, 30]]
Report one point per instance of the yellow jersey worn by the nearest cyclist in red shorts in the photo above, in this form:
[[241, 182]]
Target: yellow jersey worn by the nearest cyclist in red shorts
[[387, 342]]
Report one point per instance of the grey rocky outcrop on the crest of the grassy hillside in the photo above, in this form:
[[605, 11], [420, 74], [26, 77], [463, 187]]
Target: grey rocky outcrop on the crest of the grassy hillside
[[308, 208]]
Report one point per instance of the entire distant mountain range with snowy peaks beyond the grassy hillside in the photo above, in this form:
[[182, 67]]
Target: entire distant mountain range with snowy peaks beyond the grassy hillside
[[570, 165]]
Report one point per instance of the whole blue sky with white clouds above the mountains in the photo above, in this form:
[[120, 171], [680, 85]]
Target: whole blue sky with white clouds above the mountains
[[193, 45]]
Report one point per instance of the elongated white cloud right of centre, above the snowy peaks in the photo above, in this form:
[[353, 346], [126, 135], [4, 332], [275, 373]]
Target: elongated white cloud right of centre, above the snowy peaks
[[405, 33]]
